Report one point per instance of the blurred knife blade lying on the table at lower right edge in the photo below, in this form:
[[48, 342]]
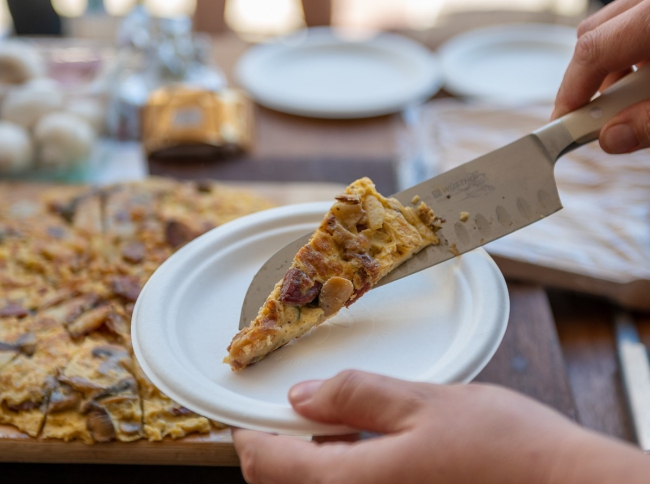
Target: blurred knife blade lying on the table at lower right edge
[[635, 368]]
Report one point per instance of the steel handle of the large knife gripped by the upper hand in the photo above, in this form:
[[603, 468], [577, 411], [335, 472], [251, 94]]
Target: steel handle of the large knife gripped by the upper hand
[[585, 123]]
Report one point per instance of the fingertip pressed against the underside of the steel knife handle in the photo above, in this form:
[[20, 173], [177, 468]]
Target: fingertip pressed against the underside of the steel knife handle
[[628, 131]]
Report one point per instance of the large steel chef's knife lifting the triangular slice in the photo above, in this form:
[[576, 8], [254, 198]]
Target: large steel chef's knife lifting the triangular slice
[[502, 191]]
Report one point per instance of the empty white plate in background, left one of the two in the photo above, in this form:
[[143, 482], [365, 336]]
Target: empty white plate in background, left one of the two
[[319, 74]]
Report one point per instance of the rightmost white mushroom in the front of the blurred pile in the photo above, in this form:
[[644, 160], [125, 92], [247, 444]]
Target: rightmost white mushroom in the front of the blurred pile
[[62, 140]]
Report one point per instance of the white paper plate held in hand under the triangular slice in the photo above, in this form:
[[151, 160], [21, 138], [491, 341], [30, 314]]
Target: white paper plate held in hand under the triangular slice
[[442, 325]]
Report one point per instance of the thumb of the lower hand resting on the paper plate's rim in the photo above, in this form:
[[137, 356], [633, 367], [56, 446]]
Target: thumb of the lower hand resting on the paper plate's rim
[[363, 401]]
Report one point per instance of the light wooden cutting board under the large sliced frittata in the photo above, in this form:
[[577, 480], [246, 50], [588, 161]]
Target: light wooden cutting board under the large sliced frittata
[[214, 449]]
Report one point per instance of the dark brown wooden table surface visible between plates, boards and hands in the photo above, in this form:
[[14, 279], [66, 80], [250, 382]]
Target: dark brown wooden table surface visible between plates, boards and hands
[[559, 347]]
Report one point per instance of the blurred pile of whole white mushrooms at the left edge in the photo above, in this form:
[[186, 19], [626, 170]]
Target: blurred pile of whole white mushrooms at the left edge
[[48, 122]]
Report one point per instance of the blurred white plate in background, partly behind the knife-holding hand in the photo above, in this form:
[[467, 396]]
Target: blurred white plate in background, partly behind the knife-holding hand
[[508, 63]]
